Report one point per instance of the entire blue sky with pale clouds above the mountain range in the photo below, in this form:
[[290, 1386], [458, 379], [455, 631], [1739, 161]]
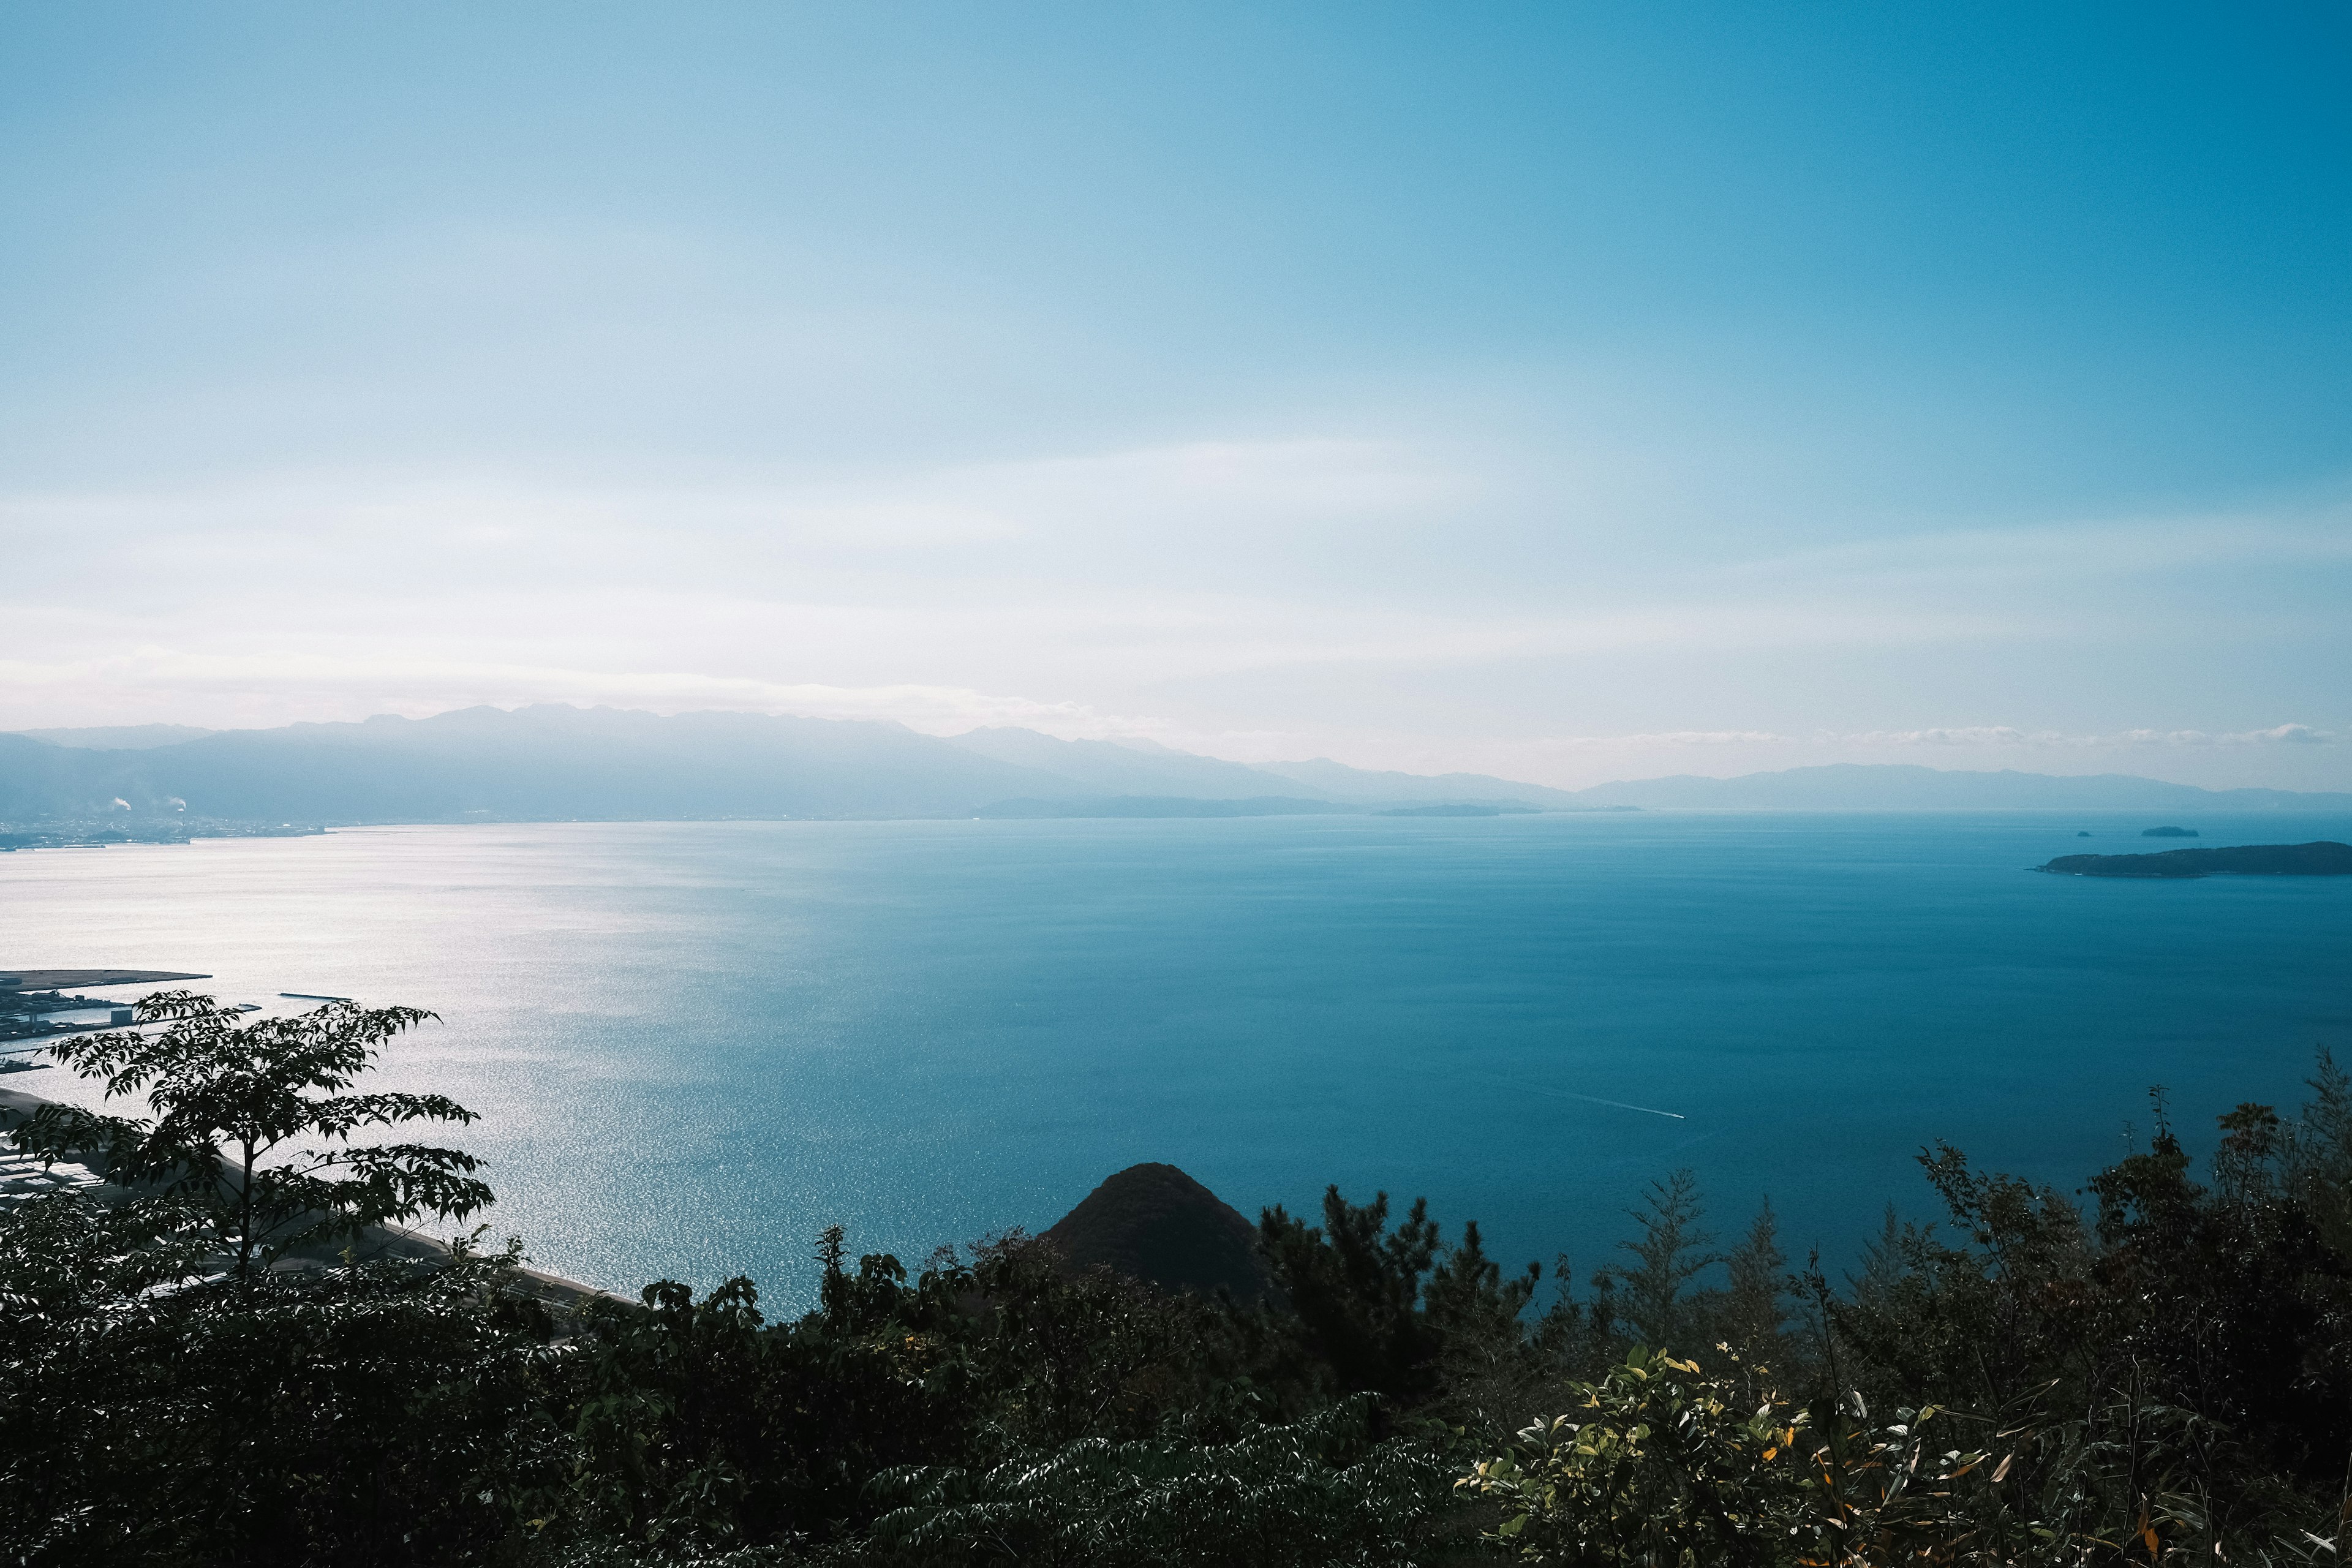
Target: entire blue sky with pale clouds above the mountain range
[[1542, 389]]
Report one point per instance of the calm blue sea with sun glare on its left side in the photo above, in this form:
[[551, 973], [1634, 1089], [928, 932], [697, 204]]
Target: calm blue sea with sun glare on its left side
[[695, 1045]]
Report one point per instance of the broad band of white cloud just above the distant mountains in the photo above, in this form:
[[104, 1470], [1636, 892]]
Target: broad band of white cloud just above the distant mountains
[[1271, 596]]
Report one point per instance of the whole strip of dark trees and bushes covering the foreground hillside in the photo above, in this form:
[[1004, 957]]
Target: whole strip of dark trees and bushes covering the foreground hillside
[[2151, 1372]]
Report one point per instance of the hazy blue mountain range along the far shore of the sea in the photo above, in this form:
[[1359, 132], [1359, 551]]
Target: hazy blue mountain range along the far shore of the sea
[[556, 763]]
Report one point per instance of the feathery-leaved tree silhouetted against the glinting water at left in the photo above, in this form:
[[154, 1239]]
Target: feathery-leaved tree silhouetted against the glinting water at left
[[232, 1099]]
